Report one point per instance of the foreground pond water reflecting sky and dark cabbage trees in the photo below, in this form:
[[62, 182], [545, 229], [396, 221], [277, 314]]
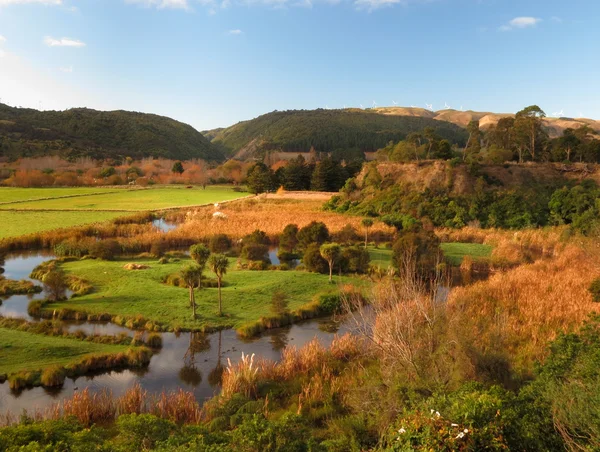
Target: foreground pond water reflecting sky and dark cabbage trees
[[169, 369]]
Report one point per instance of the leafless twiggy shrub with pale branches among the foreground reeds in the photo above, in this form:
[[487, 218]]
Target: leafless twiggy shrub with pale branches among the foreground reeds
[[408, 323]]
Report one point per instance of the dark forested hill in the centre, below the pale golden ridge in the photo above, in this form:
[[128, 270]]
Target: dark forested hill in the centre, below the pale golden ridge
[[326, 130]]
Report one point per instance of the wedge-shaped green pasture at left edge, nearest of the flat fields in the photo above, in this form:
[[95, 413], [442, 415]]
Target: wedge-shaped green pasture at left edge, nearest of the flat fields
[[15, 224]]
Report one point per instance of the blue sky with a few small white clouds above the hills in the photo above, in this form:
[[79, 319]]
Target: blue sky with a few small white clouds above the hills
[[212, 63]]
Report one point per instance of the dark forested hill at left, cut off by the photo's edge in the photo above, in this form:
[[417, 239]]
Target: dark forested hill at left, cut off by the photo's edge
[[90, 133]]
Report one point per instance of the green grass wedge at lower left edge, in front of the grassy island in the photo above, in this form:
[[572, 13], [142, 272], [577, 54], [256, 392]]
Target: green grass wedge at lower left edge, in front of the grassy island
[[22, 351]]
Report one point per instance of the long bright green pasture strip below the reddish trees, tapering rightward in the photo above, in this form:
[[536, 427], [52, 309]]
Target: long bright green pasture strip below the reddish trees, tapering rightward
[[130, 200]]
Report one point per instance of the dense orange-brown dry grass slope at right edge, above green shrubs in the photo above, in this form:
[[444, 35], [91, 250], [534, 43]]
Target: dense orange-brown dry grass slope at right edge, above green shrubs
[[524, 308]]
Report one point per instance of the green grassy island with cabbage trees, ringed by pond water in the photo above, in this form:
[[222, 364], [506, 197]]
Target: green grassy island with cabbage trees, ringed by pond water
[[246, 296]]
